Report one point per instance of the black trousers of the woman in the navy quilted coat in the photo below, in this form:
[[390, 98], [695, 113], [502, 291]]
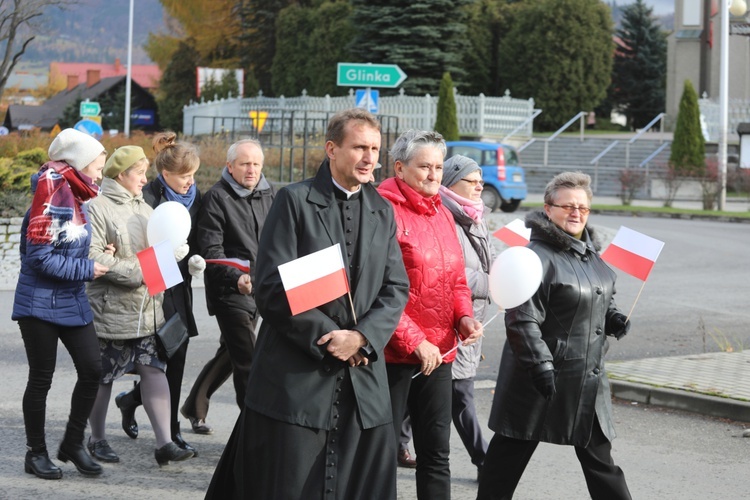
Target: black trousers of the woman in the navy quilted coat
[[40, 340]]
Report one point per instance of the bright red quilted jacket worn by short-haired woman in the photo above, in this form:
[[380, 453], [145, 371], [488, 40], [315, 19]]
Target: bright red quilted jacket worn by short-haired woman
[[438, 294]]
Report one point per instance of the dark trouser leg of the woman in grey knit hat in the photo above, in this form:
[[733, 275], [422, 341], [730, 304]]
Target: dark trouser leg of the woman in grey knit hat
[[466, 422]]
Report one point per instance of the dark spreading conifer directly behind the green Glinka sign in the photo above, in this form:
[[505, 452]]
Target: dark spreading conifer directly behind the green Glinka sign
[[424, 37]]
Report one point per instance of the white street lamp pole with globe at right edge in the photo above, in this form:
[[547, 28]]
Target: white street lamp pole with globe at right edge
[[736, 8]]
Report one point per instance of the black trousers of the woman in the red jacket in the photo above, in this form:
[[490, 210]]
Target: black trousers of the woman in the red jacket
[[429, 402]]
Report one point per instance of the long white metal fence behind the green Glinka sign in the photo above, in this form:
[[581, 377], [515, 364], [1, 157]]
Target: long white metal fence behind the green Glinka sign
[[477, 115]]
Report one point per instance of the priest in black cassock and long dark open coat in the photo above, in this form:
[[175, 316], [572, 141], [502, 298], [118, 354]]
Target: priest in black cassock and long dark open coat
[[317, 416]]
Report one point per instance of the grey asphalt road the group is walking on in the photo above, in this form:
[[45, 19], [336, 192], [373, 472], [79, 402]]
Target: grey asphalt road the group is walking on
[[701, 275]]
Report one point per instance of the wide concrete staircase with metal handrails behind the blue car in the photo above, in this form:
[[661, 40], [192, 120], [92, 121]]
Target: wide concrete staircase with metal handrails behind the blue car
[[570, 153]]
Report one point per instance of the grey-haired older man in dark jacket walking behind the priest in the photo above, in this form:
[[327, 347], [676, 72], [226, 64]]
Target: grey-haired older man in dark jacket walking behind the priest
[[229, 225]]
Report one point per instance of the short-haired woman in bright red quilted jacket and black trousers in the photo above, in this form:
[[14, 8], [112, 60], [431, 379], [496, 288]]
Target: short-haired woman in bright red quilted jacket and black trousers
[[439, 310]]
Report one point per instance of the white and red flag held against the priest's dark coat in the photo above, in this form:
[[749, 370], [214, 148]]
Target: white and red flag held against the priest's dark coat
[[314, 279]]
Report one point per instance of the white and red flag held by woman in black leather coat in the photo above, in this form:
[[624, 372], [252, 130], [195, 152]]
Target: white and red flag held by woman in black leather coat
[[633, 252]]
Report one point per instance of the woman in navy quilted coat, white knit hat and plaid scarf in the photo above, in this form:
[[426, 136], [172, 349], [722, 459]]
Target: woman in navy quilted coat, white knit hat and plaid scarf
[[50, 303]]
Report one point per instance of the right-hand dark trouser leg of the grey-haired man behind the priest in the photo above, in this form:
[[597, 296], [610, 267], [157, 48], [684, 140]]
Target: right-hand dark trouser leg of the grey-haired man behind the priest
[[237, 330]]
